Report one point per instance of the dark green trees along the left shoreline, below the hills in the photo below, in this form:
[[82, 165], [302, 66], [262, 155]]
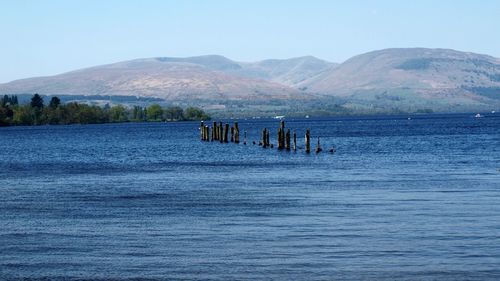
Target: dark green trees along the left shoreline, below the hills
[[36, 112]]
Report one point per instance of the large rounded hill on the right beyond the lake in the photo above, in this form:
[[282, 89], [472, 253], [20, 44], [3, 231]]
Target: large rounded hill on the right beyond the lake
[[435, 78]]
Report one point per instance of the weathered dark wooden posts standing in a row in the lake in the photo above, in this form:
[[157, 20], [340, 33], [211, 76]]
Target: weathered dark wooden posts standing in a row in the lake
[[286, 141]]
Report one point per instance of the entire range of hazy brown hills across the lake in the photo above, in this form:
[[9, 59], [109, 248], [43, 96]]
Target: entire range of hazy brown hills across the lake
[[389, 80]]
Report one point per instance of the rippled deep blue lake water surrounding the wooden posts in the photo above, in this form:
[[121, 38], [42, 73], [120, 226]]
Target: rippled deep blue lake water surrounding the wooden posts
[[402, 199]]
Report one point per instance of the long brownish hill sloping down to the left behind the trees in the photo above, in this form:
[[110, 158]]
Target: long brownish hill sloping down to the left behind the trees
[[206, 78]]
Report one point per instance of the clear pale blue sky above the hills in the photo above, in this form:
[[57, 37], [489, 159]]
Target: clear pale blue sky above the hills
[[44, 37]]
